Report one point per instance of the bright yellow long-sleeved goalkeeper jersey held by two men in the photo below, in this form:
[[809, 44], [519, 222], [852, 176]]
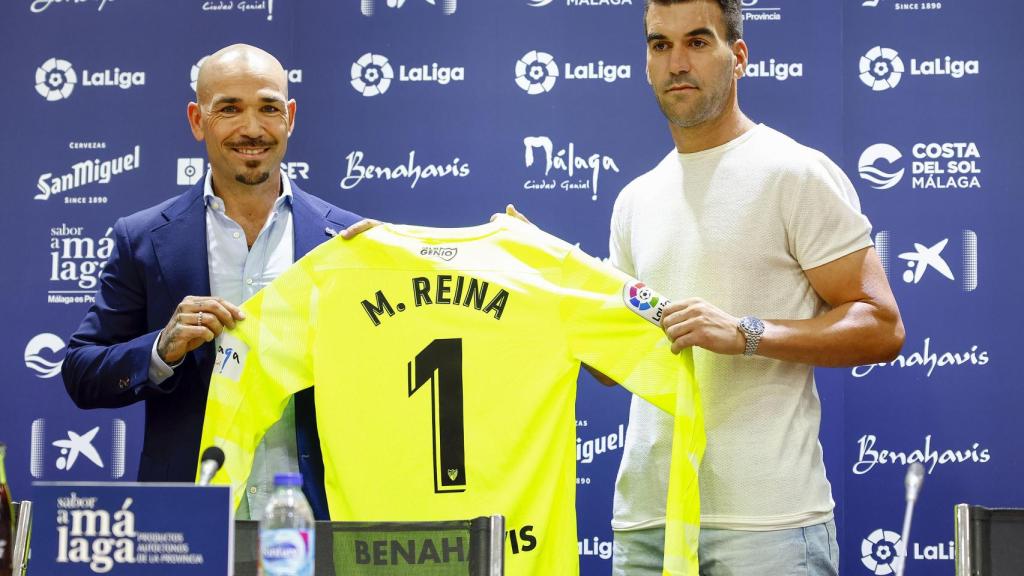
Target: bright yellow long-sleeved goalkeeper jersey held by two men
[[445, 363]]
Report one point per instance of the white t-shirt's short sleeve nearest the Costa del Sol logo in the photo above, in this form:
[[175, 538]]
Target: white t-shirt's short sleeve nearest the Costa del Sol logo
[[826, 223]]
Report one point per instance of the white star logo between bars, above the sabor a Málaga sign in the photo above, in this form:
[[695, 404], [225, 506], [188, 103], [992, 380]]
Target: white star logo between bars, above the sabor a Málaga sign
[[76, 448]]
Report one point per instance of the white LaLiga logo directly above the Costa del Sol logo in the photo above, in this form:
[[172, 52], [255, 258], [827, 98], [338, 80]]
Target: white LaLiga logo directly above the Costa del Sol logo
[[882, 69]]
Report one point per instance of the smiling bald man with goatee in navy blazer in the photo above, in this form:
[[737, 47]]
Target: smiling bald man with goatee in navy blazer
[[180, 271]]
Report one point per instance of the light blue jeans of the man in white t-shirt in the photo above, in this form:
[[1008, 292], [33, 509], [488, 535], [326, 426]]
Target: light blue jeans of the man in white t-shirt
[[800, 552]]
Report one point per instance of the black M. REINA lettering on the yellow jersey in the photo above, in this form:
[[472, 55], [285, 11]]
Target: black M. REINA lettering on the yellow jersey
[[443, 290]]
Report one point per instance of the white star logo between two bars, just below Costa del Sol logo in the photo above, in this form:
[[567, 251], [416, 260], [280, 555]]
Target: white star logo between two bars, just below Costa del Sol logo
[[927, 258]]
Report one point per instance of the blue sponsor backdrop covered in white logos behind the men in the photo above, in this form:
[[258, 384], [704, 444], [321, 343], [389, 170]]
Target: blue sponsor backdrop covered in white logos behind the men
[[440, 113]]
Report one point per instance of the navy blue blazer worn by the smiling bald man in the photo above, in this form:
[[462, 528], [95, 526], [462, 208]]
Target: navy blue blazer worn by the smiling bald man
[[160, 258]]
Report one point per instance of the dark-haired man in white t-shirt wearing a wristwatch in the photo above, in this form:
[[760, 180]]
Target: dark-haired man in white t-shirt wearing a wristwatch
[[760, 243]]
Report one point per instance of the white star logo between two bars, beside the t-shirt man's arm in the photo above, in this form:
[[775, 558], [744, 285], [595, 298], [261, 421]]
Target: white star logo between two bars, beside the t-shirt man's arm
[[930, 262]]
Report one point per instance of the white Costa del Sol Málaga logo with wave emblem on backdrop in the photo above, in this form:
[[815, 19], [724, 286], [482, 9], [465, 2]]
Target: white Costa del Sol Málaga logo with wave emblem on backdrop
[[932, 166]]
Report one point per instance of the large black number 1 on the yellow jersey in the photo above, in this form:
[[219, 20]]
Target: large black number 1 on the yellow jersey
[[441, 365]]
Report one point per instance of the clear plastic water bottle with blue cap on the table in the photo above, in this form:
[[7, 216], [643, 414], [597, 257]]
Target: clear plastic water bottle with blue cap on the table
[[287, 531]]
